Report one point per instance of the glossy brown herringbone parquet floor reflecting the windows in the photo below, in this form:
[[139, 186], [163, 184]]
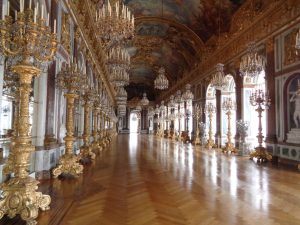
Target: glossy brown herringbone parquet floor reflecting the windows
[[143, 180]]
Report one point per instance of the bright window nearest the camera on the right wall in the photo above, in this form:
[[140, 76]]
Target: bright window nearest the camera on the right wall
[[249, 113]]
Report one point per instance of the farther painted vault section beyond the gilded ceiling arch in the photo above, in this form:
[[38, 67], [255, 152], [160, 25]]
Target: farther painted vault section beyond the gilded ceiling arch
[[159, 43]]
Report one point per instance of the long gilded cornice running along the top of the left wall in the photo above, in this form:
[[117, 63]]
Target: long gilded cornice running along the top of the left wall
[[81, 18]]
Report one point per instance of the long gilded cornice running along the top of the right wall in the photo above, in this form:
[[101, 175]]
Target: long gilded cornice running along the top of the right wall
[[277, 17]]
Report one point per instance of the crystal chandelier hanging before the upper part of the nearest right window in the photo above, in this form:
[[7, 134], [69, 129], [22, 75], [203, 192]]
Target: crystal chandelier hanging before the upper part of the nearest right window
[[252, 64]]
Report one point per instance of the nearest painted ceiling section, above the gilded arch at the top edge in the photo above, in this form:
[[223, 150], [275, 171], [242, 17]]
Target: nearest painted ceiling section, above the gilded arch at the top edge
[[201, 16]]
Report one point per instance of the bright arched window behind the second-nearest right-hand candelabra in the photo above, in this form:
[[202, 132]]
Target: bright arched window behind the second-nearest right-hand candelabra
[[228, 92]]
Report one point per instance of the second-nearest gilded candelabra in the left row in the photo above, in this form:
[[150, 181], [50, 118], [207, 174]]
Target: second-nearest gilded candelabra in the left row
[[69, 80]]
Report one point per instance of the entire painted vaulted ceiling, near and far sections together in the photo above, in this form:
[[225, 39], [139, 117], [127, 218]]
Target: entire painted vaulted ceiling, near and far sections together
[[173, 37]]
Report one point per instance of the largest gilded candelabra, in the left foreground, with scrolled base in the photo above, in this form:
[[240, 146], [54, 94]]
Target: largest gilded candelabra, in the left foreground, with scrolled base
[[26, 40]]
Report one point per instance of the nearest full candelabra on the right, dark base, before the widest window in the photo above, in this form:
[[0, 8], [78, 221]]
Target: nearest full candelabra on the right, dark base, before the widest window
[[259, 98]]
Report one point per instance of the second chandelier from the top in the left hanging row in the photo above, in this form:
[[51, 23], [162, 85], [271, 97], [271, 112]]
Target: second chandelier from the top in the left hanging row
[[119, 58]]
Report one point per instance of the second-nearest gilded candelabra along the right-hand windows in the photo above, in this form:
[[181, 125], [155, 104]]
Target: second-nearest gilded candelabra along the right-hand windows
[[228, 106]]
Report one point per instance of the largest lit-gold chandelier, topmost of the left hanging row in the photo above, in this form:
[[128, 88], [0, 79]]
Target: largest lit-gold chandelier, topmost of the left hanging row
[[115, 23]]
